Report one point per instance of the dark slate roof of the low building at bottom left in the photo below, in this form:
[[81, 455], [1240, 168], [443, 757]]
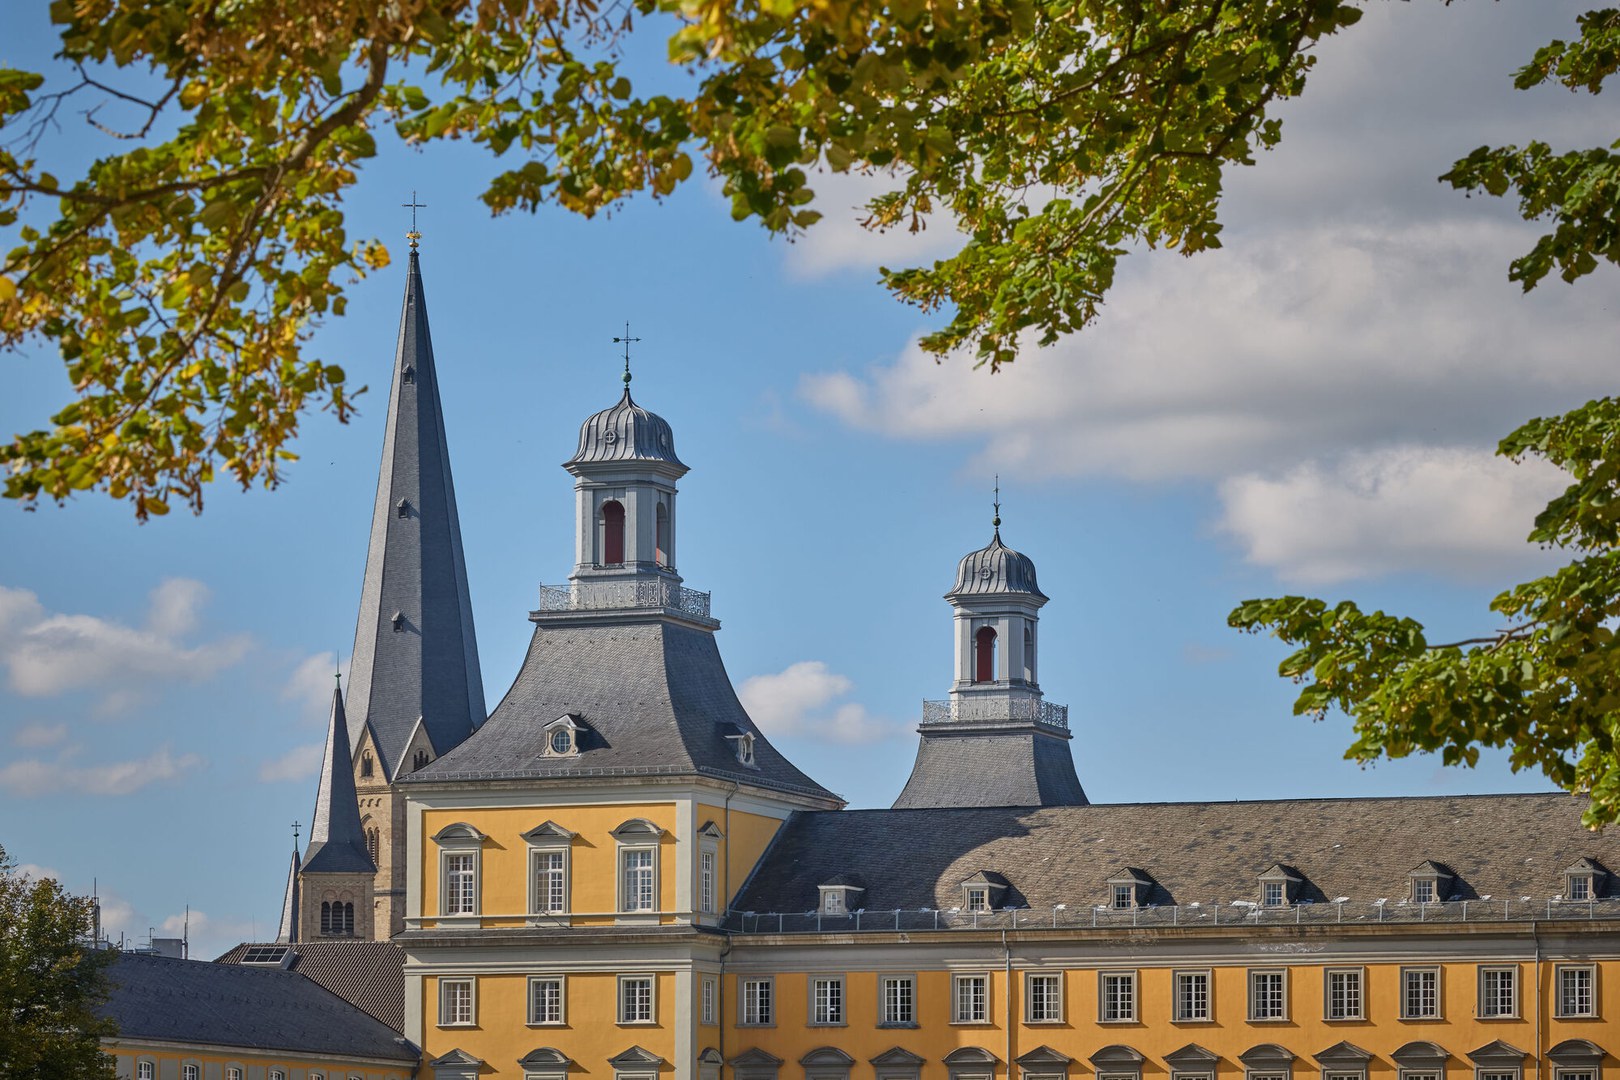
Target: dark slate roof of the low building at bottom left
[[224, 1005]]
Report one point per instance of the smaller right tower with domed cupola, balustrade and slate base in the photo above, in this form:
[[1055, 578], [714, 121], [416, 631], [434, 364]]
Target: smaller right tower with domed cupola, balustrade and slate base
[[995, 741]]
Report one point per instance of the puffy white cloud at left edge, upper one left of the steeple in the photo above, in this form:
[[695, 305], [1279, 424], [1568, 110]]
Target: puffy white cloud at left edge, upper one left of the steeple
[[48, 655]]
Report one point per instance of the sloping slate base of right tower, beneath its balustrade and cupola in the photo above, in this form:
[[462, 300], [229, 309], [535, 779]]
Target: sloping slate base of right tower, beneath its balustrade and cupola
[[1020, 767]]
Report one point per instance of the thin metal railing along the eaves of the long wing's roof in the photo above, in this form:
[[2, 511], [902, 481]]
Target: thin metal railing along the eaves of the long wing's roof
[[1185, 916]]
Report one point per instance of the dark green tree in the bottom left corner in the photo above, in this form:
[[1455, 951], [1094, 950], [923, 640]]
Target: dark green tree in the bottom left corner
[[51, 982]]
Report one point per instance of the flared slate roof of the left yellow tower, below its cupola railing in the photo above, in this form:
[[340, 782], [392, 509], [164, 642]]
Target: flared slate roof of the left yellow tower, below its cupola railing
[[652, 694]]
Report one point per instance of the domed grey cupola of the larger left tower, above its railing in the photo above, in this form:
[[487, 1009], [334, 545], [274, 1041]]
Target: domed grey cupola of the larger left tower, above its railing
[[625, 487]]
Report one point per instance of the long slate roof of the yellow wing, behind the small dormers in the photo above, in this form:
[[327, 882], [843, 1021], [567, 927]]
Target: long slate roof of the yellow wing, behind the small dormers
[[1501, 846]]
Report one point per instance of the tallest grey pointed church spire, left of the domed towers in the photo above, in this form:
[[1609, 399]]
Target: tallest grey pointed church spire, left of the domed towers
[[416, 653]]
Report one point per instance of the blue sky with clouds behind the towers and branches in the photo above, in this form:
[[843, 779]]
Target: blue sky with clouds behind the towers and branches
[[1308, 410]]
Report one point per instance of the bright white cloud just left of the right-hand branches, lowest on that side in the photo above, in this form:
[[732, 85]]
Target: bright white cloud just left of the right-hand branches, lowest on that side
[[1460, 514]]
